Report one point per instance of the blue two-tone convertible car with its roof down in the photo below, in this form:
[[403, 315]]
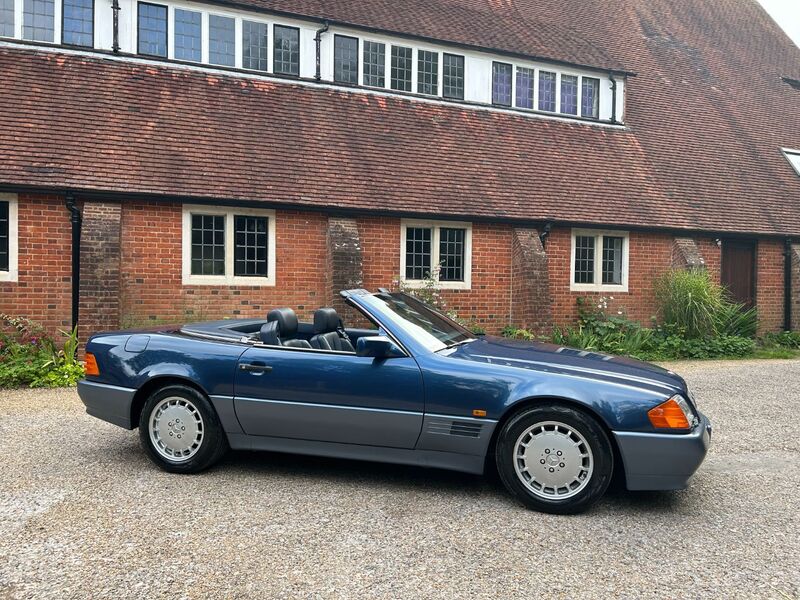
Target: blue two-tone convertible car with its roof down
[[415, 388]]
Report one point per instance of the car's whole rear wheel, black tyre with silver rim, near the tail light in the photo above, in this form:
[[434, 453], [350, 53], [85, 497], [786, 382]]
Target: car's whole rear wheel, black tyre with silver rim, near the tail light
[[180, 430]]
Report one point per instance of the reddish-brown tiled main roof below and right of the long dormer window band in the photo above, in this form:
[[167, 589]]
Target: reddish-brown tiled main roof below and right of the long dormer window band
[[706, 118]]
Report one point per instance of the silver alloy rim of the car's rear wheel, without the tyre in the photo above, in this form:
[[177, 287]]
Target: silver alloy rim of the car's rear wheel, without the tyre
[[176, 429]]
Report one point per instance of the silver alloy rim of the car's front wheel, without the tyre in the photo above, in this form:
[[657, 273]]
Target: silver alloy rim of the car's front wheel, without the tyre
[[553, 460]]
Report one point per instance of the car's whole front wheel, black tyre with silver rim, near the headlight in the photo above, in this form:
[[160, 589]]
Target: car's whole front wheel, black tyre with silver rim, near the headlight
[[554, 458]]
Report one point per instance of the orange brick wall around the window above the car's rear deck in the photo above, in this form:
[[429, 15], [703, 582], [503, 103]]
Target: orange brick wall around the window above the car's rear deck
[[151, 286]]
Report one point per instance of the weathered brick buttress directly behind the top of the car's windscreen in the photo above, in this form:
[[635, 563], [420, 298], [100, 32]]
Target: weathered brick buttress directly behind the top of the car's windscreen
[[345, 264]]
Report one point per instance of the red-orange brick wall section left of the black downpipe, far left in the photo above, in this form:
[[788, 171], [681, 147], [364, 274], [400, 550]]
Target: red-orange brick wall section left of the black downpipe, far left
[[44, 287]]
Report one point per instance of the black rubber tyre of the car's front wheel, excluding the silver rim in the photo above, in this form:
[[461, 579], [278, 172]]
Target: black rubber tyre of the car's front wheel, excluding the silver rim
[[582, 423]]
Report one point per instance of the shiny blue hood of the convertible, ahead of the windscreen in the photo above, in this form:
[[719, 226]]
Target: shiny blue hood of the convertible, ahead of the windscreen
[[551, 358]]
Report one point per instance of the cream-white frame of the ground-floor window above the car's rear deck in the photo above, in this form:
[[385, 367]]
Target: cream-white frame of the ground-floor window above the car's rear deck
[[228, 278]]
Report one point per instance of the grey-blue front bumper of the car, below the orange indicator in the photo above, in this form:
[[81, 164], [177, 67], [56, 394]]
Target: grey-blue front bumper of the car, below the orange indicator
[[662, 461]]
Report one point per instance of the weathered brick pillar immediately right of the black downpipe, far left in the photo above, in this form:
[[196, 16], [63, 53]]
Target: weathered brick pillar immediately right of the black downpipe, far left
[[100, 267]]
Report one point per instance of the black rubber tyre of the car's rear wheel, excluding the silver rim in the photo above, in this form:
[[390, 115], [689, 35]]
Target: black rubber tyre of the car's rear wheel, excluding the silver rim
[[213, 445]]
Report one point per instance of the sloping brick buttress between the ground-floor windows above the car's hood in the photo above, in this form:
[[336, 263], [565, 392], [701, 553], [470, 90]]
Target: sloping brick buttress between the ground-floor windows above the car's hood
[[531, 301]]
